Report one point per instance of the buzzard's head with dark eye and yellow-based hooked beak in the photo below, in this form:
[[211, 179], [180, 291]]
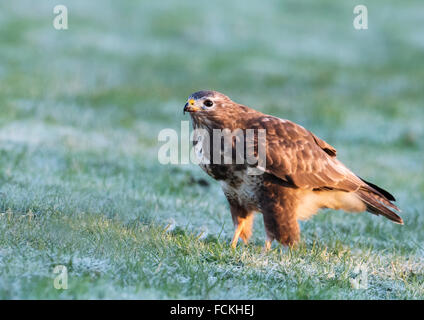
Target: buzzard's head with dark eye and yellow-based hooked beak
[[205, 102]]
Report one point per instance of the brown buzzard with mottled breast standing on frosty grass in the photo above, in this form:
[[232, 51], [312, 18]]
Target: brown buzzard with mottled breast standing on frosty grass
[[302, 173]]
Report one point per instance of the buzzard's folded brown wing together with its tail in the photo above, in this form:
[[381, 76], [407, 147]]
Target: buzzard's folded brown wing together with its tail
[[300, 158]]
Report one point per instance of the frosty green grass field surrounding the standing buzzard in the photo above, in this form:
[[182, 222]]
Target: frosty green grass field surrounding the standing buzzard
[[80, 111]]
